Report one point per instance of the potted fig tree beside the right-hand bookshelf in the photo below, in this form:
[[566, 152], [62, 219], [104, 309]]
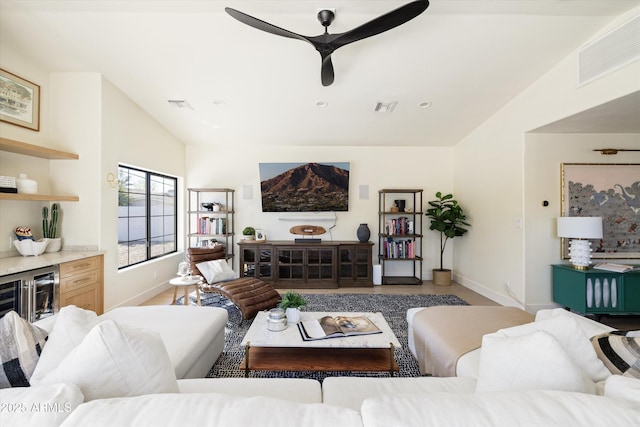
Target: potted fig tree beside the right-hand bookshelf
[[448, 218]]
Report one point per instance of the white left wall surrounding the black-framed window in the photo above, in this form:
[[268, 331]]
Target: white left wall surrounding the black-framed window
[[130, 136]]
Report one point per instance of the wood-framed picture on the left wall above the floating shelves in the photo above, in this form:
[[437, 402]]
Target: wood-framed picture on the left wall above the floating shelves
[[19, 101]]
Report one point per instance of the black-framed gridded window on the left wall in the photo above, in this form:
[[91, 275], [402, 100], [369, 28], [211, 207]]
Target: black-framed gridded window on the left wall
[[147, 216]]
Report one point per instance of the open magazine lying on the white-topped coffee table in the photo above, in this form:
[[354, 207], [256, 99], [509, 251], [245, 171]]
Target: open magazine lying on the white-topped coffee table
[[336, 327]]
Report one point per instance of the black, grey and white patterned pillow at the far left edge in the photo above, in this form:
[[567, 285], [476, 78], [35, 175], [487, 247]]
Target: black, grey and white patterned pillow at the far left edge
[[21, 344]]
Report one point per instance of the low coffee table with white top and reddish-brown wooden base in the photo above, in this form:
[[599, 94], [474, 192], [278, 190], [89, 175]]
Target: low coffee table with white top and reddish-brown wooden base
[[285, 350]]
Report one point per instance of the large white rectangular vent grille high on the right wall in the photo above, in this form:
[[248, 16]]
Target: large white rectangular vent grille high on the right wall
[[610, 52]]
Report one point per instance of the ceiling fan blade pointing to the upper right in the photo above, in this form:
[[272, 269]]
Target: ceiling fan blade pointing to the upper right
[[381, 24]]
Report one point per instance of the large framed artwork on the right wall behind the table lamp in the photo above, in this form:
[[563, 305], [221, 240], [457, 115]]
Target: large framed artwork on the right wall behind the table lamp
[[610, 191]]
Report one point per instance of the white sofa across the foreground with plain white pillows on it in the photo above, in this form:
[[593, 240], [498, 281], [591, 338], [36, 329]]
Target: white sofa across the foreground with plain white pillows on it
[[497, 395]]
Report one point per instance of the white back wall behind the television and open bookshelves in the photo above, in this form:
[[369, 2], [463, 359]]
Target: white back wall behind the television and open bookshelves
[[430, 169]]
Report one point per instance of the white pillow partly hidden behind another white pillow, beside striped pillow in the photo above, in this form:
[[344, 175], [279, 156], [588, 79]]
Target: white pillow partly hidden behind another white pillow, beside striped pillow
[[571, 337]]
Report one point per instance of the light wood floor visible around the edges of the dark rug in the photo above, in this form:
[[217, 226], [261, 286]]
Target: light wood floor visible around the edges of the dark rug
[[473, 298]]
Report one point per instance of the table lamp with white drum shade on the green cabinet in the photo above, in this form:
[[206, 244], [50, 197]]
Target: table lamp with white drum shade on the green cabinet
[[578, 228]]
